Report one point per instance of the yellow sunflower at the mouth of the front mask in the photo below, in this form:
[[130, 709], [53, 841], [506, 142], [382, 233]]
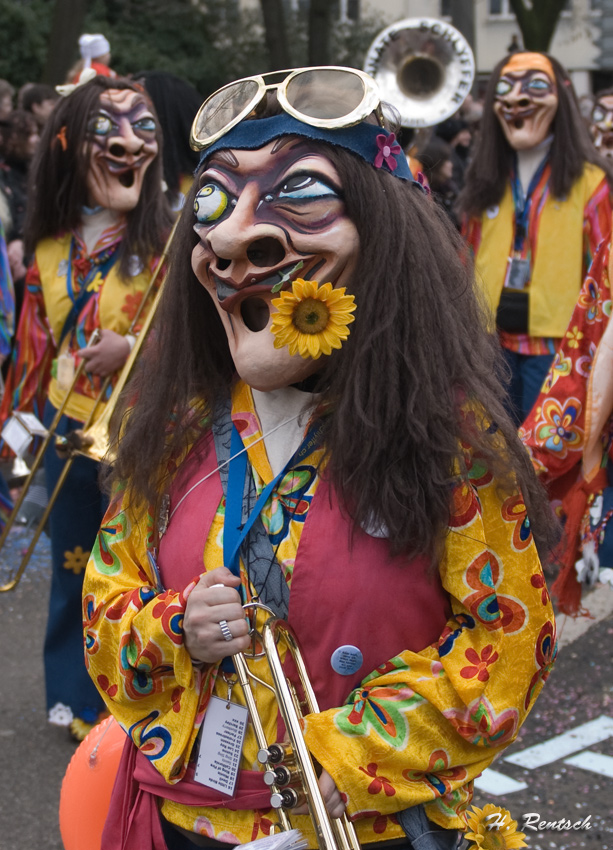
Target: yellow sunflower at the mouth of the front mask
[[312, 319]]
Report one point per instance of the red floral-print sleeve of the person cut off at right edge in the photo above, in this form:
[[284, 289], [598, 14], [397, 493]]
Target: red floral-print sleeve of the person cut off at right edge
[[555, 430]]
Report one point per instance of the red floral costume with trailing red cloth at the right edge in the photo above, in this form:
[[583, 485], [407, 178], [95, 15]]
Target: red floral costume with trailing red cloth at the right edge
[[568, 432]]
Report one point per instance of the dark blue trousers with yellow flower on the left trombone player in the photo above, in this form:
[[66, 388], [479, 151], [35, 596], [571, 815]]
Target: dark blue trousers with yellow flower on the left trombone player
[[73, 524]]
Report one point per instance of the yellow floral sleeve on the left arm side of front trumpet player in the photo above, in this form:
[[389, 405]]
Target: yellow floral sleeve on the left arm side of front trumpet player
[[134, 646]]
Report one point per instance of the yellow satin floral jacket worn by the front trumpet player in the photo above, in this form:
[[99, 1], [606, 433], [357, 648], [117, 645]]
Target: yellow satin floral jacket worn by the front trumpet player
[[418, 729]]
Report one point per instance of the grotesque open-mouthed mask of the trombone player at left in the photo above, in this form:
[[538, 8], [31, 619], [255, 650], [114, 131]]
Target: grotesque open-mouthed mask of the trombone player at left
[[122, 135]]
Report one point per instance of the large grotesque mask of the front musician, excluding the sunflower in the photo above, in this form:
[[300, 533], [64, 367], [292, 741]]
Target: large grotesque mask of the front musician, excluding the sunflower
[[258, 215]]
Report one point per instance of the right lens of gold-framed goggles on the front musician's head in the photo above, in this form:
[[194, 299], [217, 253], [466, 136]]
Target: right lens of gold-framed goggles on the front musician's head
[[325, 93]]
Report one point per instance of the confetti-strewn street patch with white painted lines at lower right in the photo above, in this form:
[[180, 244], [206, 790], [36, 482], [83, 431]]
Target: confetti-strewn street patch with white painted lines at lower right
[[572, 720]]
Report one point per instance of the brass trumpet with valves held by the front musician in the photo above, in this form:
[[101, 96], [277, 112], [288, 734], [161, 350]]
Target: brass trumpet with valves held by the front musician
[[289, 768]]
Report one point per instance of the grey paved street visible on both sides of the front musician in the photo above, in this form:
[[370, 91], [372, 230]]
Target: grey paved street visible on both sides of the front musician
[[570, 778]]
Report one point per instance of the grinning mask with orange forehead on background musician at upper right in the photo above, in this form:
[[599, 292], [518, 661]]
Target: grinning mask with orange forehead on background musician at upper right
[[526, 100]]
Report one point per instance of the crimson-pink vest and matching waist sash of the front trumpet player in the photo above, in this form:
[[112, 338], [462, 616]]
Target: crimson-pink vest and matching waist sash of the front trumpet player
[[343, 592]]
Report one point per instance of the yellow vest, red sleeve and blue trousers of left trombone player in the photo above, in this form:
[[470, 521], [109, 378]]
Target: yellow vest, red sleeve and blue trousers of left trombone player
[[32, 385]]
